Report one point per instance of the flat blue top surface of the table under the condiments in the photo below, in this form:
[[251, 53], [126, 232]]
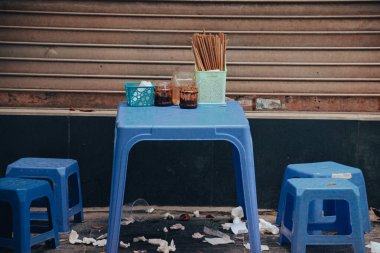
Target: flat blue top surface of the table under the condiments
[[230, 115]]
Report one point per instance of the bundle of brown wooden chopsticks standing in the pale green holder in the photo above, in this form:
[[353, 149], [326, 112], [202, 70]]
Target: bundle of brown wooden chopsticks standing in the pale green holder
[[209, 51]]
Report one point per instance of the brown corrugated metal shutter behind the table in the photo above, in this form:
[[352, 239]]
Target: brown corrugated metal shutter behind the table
[[311, 55]]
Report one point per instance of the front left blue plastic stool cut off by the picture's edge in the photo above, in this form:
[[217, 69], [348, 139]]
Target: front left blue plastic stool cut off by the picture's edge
[[15, 221]]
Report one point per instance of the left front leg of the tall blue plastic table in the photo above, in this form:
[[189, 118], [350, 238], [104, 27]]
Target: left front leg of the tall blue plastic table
[[119, 173]]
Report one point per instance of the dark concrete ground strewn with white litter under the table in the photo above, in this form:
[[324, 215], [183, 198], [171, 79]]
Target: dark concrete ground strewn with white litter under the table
[[97, 218]]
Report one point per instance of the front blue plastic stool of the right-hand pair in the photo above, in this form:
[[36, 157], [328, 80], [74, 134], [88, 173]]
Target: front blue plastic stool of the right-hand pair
[[296, 226]]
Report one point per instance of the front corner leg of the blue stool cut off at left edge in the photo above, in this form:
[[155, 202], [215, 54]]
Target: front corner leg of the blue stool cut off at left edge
[[22, 228]]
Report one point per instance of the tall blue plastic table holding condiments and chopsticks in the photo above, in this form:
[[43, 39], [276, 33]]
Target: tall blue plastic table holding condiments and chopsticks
[[228, 123]]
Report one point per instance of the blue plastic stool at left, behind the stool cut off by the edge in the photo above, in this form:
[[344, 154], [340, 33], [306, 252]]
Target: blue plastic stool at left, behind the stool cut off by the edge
[[64, 177]]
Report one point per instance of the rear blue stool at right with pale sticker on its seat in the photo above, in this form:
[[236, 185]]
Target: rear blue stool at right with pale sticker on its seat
[[326, 170]]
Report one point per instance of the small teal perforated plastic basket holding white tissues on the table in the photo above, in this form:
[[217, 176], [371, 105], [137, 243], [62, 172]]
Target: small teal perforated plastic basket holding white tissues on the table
[[139, 95]]
